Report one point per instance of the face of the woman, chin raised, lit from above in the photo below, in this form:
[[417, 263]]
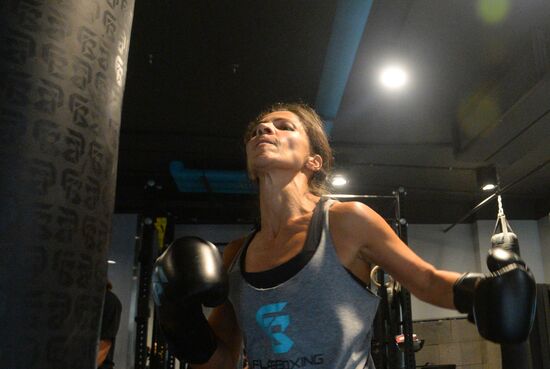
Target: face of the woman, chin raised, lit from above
[[279, 141]]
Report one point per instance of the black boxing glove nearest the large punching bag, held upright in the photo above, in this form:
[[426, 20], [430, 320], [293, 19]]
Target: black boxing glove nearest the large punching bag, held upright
[[186, 276]]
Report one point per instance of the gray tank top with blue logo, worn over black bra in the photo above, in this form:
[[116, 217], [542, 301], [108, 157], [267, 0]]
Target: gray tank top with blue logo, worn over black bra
[[320, 318]]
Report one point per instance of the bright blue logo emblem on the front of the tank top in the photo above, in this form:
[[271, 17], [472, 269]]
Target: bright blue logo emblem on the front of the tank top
[[274, 323]]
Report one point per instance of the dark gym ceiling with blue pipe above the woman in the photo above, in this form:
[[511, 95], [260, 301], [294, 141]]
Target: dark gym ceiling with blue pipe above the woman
[[478, 95]]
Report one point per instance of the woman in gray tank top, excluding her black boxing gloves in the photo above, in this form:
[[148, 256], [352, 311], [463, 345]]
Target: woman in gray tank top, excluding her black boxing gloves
[[288, 155]]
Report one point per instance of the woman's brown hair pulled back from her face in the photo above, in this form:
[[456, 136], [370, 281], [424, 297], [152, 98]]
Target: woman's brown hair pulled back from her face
[[315, 130]]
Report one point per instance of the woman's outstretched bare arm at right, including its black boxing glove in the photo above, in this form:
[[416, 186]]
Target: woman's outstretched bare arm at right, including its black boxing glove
[[502, 303]]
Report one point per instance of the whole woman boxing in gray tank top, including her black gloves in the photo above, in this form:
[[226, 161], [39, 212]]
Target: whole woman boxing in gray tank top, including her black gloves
[[297, 284]]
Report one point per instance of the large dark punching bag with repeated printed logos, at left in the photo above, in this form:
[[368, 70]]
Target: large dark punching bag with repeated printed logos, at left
[[62, 74]]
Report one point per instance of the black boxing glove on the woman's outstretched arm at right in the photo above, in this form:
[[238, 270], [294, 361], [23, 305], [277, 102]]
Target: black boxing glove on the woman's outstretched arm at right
[[502, 304]]
